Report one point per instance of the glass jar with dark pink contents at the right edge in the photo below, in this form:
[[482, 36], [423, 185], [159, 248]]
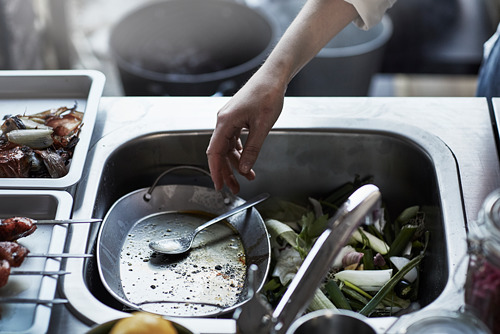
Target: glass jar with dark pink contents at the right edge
[[482, 287]]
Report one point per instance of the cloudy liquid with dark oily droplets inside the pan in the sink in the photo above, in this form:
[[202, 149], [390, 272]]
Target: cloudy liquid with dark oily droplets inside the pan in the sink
[[205, 280]]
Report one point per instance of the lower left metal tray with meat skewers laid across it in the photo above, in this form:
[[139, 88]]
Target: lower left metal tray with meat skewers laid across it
[[36, 204]]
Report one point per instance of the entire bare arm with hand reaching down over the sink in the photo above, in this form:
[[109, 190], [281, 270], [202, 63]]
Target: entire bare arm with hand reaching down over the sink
[[258, 104]]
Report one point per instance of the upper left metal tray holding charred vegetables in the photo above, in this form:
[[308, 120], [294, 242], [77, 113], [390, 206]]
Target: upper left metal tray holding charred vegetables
[[29, 92]]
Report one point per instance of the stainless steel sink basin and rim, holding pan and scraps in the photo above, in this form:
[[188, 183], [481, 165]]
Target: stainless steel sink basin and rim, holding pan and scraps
[[410, 166]]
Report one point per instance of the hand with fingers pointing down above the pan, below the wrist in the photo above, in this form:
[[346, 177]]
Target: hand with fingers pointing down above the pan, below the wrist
[[255, 107]]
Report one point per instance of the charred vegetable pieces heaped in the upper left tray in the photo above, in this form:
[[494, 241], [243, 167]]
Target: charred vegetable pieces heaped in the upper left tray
[[39, 145]]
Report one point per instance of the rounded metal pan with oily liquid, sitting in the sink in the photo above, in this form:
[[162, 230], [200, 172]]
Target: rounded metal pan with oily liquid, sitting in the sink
[[210, 279]]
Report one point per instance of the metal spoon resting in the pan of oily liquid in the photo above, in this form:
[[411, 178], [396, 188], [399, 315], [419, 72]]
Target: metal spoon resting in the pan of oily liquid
[[178, 245]]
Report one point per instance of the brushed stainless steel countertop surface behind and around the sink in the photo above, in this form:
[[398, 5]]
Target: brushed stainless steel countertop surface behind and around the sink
[[464, 124]]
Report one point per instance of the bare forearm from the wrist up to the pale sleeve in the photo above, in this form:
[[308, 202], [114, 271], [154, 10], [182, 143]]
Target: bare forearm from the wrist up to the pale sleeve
[[315, 25]]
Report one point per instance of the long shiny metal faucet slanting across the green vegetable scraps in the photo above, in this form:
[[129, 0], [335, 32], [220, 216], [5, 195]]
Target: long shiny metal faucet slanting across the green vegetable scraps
[[257, 317]]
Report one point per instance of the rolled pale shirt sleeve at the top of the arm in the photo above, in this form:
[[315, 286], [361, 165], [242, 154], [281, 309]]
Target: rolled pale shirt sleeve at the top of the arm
[[370, 11]]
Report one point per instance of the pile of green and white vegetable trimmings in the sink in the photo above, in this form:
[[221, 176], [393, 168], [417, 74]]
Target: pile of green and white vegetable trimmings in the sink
[[376, 274]]
